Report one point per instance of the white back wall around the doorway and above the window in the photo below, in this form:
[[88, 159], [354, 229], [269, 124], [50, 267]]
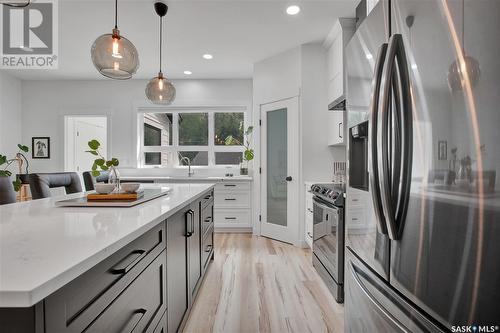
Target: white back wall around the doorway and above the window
[[45, 103]]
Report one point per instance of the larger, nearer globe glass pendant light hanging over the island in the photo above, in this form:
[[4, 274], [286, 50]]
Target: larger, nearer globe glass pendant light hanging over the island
[[114, 56]]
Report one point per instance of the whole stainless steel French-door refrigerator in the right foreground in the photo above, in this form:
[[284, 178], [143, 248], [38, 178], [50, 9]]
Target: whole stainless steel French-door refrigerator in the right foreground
[[423, 204]]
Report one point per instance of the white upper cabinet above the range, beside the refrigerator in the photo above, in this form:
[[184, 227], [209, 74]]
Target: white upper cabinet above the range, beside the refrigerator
[[334, 43]]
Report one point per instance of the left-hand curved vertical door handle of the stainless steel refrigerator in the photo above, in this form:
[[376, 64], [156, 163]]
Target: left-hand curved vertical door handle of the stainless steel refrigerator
[[373, 130]]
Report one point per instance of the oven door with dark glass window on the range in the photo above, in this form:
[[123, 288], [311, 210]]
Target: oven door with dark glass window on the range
[[328, 238]]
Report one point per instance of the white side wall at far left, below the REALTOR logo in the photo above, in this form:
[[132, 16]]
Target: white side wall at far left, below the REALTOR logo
[[10, 115]]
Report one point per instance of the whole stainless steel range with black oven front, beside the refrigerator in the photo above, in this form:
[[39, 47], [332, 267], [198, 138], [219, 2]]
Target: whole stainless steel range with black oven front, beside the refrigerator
[[328, 236]]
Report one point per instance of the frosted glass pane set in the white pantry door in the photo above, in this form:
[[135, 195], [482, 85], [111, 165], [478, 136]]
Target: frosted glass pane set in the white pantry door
[[277, 166]]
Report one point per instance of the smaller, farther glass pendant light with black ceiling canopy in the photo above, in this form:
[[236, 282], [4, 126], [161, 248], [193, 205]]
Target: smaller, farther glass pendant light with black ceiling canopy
[[160, 90]]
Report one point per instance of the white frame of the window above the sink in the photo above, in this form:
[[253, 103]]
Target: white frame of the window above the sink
[[211, 148]]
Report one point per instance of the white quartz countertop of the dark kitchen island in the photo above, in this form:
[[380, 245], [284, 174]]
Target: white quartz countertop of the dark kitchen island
[[43, 247]]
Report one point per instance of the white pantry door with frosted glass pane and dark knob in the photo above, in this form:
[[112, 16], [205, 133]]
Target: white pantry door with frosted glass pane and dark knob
[[280, 169]]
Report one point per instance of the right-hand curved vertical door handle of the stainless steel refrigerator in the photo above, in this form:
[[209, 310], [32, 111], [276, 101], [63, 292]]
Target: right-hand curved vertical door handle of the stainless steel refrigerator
[[395, 200]]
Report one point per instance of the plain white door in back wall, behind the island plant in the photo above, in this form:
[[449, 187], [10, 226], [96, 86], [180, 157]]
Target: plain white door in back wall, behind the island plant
[[85, 131]]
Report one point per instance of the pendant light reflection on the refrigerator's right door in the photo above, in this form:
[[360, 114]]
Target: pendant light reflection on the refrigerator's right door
[[466, 67]]
